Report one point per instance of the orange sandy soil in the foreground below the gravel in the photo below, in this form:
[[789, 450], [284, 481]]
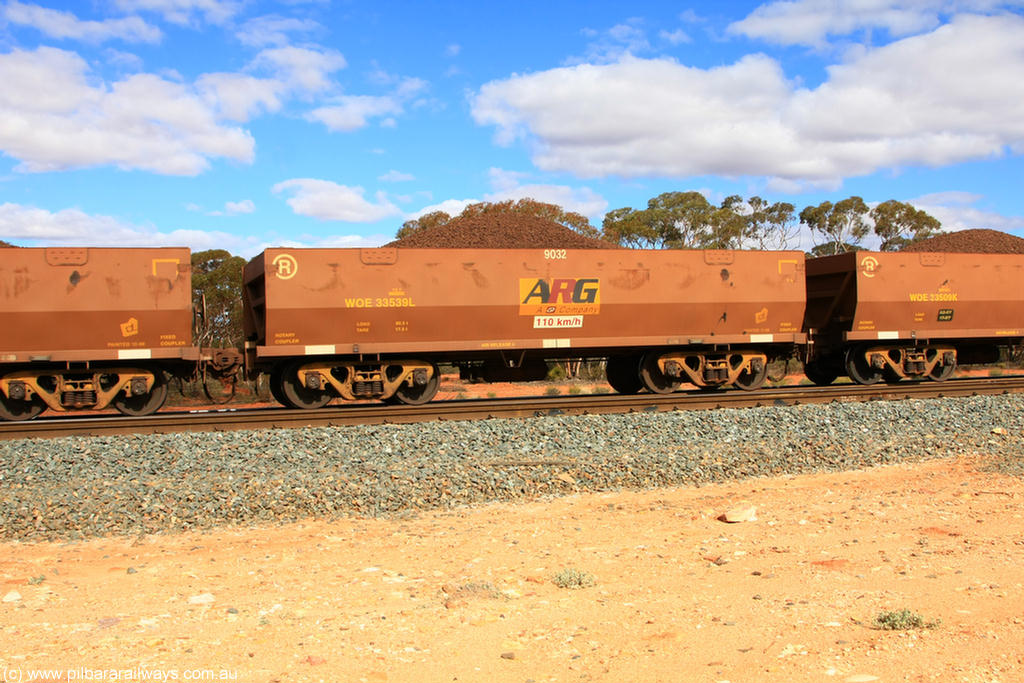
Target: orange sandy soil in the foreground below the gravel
[[472, 595]]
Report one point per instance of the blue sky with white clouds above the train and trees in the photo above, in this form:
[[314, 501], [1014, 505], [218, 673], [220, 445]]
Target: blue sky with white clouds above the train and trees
[[242, 124]]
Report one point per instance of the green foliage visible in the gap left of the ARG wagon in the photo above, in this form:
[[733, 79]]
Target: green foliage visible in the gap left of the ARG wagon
[[218, 281]]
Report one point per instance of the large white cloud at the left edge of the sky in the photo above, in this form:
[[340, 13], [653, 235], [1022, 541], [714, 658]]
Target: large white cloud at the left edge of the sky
[[56, 115]]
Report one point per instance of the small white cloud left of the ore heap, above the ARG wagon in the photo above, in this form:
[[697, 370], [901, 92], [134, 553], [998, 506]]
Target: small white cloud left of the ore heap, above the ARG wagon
[[329, 201]]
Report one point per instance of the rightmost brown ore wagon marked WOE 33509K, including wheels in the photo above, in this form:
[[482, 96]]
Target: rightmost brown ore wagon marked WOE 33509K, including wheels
[[891, 316]]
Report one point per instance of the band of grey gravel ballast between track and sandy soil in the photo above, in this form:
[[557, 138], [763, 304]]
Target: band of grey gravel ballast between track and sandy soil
[[88, 487]]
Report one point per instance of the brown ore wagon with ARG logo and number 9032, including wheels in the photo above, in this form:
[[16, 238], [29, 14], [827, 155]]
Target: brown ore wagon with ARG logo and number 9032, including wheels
[[374, 323]]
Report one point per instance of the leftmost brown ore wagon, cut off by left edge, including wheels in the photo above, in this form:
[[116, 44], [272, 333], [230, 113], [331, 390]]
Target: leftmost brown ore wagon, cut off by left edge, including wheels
[[87, 327]]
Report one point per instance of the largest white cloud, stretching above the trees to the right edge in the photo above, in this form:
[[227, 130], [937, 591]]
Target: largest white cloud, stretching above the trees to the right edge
[[947, 97]]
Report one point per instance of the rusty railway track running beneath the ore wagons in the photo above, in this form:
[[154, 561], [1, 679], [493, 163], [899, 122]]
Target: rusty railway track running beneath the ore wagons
[[279, 418]]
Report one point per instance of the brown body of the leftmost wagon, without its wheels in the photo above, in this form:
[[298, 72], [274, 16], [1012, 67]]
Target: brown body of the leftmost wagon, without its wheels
[[93, 304]]
